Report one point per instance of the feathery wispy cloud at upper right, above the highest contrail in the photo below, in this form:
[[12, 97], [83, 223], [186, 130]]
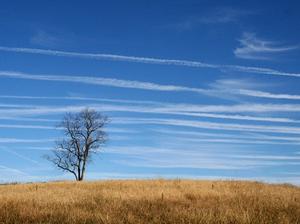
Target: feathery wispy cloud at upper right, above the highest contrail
[[251, 47]]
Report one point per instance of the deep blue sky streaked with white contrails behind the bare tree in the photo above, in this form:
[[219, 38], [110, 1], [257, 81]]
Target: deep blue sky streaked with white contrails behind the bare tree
[[194, 89]]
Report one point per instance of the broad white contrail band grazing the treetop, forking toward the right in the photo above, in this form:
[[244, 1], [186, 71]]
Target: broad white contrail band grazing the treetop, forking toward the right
[[191, 110]]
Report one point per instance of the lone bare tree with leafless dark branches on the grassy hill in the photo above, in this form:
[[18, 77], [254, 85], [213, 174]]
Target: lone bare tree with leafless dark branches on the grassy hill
[[83, 136]]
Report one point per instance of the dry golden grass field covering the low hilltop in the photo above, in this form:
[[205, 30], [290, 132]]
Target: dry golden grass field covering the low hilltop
[[150, 201]]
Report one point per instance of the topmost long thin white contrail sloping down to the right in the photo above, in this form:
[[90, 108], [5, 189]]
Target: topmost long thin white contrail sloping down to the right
[[257, 70]]
